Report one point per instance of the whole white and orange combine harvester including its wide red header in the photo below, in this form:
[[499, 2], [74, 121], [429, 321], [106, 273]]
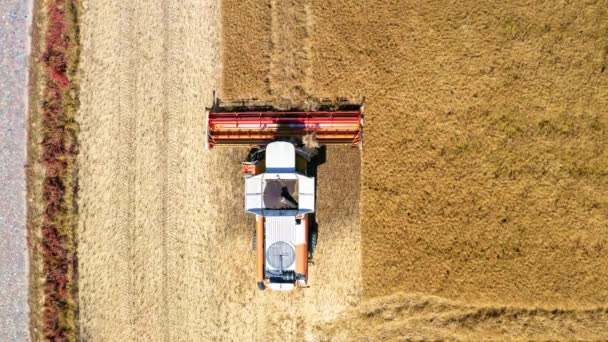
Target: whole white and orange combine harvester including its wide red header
[[280, 172]]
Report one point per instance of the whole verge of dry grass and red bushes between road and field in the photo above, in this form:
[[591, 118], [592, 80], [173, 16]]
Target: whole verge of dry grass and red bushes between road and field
[[52, 185]]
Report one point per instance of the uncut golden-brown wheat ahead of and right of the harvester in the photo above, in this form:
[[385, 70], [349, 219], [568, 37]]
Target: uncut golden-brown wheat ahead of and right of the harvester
[[484, 161]]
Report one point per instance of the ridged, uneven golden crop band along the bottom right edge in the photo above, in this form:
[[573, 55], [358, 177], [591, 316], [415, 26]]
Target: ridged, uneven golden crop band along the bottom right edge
[[424, 317]]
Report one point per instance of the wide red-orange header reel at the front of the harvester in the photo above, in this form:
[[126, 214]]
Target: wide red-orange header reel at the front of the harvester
[[254, 122]]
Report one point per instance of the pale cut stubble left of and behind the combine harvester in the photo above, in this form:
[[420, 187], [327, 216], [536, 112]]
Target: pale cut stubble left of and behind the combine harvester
[[164, 244]]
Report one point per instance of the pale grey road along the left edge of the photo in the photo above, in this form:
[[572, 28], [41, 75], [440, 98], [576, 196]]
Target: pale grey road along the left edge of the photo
[[15, 18]]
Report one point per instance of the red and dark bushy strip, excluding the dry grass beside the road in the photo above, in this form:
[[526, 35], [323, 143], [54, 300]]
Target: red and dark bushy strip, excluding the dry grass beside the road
[[58, 153]]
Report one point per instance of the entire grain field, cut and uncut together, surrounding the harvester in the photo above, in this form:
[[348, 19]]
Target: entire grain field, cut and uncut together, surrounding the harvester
[[476, 209]]
